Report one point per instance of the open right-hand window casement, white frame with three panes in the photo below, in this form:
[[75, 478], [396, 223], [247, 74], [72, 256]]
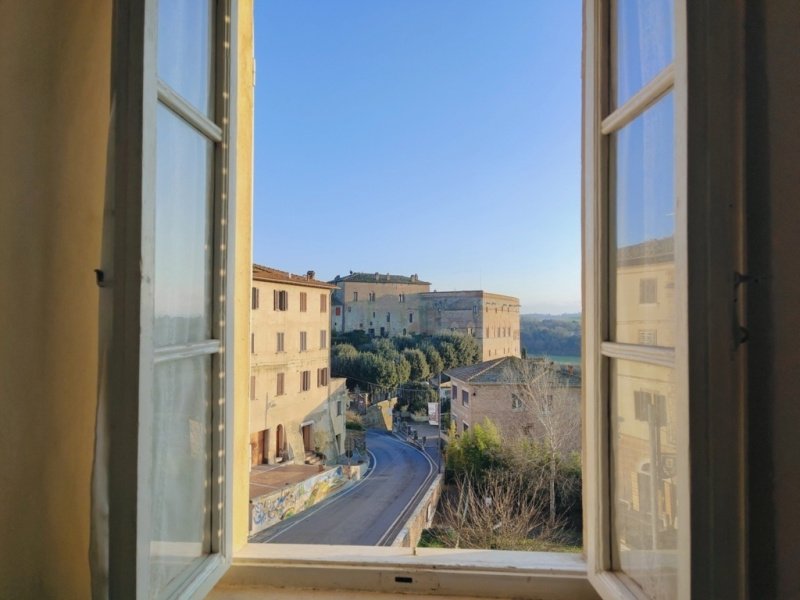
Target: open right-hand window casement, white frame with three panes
[[635, 207]]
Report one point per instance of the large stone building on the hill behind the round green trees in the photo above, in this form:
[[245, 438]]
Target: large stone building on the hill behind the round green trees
[[390, 305]]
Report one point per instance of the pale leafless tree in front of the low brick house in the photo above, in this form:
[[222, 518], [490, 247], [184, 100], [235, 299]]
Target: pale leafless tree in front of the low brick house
[[545, 395]]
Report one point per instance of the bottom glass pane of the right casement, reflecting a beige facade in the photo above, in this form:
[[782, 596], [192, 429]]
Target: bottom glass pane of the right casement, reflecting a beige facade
[[645, 512]]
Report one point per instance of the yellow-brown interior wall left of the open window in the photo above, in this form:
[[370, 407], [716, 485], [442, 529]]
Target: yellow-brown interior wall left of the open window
[[54, 73]]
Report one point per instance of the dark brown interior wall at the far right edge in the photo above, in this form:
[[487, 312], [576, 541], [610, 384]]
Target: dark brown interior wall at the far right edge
[[773, 216]]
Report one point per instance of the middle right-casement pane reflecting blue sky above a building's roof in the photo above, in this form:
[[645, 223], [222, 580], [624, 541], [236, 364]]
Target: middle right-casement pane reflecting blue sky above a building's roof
[[643, 195]]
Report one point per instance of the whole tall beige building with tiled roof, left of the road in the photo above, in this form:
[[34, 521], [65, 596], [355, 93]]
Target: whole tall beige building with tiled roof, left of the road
[[296, 409]]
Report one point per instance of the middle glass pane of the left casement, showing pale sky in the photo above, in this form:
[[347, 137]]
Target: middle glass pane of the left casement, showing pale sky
[[183, 249]]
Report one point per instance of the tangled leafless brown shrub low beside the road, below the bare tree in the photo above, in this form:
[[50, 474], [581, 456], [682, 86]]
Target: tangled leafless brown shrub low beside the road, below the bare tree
[[499, 510]]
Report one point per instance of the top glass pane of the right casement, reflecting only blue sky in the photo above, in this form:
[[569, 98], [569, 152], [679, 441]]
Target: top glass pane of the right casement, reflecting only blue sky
[[644, 43]]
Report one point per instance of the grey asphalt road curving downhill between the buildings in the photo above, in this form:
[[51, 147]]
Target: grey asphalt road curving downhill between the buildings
[[369, 513]]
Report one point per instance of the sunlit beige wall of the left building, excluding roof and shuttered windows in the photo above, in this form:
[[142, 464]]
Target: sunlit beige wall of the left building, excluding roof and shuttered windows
[[295, 406]]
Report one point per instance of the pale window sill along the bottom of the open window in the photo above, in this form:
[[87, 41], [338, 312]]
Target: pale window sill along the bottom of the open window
[[424, 572]]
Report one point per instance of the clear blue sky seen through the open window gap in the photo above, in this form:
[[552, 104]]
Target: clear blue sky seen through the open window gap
[[437, 137]]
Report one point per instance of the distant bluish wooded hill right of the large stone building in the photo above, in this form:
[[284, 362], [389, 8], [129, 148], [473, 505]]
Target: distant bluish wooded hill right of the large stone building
[[553, 335]]
